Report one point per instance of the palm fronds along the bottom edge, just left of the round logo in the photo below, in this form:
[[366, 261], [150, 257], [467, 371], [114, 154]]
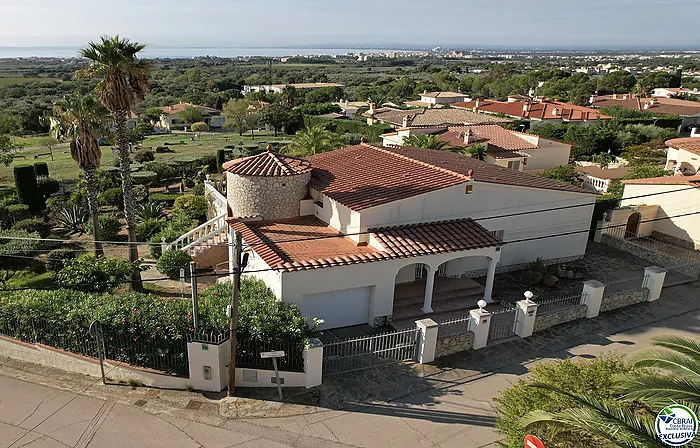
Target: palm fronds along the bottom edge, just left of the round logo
[[617, 423]]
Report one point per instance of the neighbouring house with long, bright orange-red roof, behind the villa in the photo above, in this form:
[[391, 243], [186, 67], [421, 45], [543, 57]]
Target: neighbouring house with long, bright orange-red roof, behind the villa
[[537, 110]]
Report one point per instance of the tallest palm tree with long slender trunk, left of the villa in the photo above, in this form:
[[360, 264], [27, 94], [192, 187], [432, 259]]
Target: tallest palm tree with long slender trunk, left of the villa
[[124, 81]]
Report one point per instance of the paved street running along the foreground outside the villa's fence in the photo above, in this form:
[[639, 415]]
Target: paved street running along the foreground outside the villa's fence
[[54, 415]]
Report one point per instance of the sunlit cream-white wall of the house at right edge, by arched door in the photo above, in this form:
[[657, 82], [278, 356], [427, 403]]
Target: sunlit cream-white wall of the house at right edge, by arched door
[[671, 204]]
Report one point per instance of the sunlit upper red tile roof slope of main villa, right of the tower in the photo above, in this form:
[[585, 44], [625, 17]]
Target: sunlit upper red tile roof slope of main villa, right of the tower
[[365, 176]]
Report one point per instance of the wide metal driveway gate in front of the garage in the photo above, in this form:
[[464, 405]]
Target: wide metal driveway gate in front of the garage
[[363, 353]]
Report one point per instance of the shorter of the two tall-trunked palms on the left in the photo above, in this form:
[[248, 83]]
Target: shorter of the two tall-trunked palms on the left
[[81, 118]]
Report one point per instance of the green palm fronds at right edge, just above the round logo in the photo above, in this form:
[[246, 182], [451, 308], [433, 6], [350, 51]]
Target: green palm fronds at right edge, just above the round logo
[[679, 359]]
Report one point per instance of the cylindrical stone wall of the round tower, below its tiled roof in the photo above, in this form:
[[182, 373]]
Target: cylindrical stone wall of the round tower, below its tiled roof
[[266, 197]]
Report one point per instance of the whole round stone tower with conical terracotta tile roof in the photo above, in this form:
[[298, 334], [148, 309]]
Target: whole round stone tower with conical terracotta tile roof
[[268, 185]]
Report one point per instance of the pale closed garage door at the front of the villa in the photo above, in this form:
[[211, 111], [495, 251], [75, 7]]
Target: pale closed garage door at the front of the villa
[[340, 308]]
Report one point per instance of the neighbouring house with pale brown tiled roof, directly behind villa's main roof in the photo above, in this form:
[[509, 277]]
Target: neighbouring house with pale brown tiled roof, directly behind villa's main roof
[[427, 117]]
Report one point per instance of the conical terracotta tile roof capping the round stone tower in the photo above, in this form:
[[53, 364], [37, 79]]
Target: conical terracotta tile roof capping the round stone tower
[[269, 164]]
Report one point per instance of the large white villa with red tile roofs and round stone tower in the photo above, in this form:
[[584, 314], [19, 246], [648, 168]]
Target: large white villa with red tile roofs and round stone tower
[[371, 235]]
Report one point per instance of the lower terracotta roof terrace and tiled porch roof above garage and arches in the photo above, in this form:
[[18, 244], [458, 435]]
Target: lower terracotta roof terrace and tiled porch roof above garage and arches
[[309, 243]]
